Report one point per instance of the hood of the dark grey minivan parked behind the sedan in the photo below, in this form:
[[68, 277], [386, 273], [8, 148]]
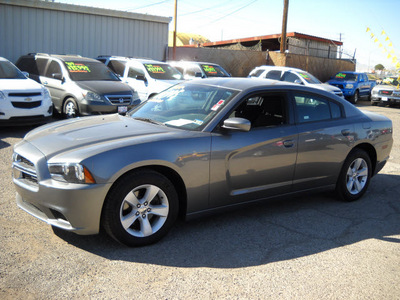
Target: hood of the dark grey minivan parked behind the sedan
[[104, 87]]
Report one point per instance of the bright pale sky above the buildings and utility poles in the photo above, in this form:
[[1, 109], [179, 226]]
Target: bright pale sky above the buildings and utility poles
[[369, 29]]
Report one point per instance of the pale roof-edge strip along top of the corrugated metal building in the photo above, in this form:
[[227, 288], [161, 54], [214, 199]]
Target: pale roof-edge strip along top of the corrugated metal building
[[85, 10]]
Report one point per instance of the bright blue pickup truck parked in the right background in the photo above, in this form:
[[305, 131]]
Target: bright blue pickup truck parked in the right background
[[354, 85]]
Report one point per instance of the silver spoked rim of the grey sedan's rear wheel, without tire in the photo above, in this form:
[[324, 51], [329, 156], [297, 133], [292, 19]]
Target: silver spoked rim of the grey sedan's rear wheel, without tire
[[357, 176]]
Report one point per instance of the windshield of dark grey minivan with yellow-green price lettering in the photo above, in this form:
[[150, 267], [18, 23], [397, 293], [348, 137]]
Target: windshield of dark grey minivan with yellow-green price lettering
[[87, 71]]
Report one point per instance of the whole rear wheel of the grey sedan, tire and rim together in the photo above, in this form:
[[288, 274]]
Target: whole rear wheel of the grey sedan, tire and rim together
[[355, 176]]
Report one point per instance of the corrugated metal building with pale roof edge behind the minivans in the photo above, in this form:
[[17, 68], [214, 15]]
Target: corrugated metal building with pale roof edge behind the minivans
[[37, 26]]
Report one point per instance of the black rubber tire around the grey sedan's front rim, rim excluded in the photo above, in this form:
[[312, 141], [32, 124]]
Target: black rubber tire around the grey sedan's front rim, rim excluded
[[111, 209]]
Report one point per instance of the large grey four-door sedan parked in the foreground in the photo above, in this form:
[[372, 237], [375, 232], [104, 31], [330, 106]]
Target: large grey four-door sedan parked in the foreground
[[201, 146]]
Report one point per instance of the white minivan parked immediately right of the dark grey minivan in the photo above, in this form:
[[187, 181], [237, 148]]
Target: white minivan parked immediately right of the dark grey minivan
[[148, 77]]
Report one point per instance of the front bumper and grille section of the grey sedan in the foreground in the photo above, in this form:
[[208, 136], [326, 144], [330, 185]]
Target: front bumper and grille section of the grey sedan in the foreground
[[72, 207]]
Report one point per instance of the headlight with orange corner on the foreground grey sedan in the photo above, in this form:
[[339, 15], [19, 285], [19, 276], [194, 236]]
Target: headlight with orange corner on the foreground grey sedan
[[70, 172]]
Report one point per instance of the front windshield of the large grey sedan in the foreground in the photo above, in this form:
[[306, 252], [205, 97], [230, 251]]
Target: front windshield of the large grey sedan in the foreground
[[187, 106]]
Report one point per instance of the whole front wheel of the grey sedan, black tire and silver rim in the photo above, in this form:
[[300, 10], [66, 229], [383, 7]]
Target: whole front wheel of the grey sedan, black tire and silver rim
[[133, 200]]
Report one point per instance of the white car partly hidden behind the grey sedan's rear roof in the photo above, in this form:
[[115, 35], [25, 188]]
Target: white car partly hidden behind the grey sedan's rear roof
[[292, 75]]
